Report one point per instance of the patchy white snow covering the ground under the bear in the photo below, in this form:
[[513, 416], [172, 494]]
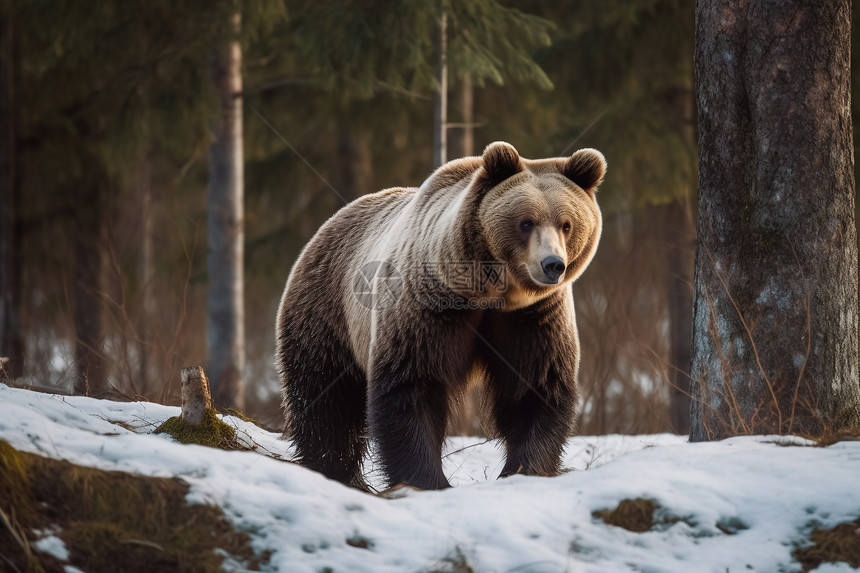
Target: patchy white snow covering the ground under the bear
[[769, 492]]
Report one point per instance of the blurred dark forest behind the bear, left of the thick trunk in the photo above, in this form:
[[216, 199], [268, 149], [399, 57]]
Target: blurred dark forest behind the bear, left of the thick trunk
[[108, 110]]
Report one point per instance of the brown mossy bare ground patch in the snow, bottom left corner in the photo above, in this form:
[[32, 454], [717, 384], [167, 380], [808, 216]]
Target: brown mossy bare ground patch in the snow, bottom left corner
[[112, 521]]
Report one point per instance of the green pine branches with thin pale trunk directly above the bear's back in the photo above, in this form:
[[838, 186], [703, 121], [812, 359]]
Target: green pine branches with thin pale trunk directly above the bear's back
[[412, 46]]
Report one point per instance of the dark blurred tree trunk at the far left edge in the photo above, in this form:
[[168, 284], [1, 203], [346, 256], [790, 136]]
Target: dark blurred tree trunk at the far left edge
[[11, 338]]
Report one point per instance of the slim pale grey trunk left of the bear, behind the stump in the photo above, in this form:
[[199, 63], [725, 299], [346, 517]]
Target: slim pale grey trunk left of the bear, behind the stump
[[226, 328]]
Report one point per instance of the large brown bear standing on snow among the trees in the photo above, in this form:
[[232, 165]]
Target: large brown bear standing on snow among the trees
[[406, 296]]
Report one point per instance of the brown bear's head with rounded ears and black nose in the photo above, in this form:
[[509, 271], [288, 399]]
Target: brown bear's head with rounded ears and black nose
[[539, 217]]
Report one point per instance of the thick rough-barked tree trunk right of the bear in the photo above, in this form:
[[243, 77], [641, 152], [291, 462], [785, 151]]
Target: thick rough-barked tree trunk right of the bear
[[775, 347]]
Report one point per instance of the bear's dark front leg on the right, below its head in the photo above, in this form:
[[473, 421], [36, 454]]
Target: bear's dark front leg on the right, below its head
[[532, 358]]
